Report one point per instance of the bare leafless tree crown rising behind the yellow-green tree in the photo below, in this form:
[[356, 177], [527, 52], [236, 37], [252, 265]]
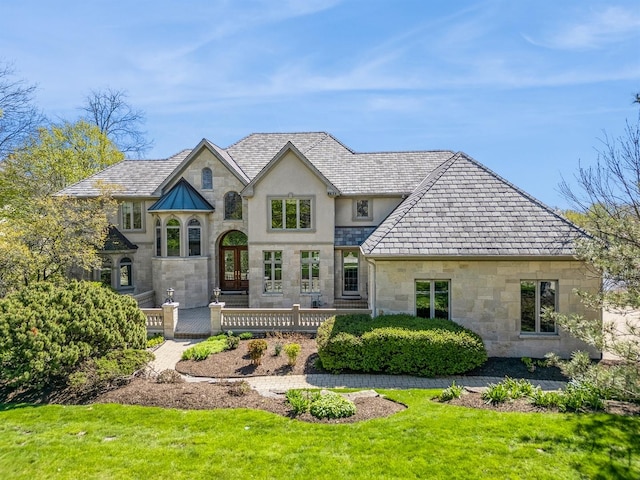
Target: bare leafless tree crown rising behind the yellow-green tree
[[115, 117]]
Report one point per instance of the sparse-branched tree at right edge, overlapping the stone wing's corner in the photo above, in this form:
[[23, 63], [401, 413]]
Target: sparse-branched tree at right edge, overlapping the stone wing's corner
[[607, 196]]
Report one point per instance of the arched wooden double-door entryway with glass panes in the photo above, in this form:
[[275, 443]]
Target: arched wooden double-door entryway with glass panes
[[234, 262]]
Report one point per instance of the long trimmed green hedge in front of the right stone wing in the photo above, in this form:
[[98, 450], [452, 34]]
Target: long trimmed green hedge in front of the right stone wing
[[398, 344]]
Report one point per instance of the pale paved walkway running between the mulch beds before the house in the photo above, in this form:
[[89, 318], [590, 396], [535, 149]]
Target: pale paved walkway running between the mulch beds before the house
[[170, 352]]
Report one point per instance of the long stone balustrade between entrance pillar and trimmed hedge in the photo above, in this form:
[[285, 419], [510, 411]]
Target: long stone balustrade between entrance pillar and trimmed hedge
[[293, 319]]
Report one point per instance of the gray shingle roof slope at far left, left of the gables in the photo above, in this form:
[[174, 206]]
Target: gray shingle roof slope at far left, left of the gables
[[134, 178]]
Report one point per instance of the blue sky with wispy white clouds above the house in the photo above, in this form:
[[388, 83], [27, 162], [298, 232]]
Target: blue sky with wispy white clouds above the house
[[526, 87]]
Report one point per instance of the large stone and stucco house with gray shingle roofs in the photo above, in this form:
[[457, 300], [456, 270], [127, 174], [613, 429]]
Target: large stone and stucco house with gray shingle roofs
[[301, 219]]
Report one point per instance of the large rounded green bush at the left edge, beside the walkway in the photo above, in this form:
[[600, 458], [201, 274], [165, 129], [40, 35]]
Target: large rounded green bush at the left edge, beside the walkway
[[47, 331]]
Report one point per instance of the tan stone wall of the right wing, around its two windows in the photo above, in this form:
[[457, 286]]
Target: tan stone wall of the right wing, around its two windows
[[485, 297]]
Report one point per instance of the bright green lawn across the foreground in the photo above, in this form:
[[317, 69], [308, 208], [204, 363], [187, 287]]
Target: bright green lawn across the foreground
[[428, 440]]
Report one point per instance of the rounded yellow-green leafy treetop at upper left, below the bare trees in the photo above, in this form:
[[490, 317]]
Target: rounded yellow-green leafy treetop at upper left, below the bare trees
[[52, 159]]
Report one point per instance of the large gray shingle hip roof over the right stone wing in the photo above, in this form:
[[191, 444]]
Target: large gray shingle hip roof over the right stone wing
[[462, 208]]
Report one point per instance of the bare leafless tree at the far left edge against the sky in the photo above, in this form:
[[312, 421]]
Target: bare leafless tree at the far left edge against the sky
[[19, 118]]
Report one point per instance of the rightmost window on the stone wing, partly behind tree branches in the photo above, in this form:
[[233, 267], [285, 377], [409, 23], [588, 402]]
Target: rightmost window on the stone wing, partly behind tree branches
[[536, 296]]
